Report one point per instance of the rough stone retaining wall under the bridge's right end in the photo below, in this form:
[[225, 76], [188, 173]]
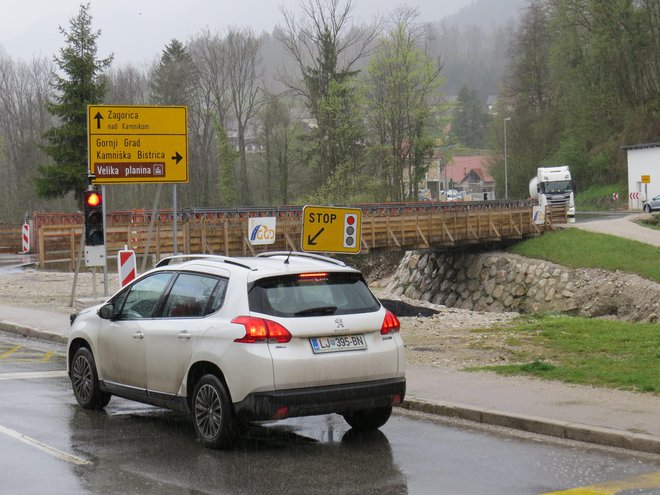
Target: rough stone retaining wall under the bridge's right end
[[506, 282]]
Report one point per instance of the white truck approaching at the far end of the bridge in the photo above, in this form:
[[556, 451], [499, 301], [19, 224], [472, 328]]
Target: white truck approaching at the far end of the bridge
[[553, 186]]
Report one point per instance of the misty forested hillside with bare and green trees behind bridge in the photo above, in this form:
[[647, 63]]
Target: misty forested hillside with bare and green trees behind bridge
[[326, 109]]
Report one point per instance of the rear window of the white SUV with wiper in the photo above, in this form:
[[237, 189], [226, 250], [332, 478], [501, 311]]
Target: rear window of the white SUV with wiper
[[312, 294]]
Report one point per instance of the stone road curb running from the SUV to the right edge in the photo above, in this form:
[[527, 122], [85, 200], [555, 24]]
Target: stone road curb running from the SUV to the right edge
[[563, 429]]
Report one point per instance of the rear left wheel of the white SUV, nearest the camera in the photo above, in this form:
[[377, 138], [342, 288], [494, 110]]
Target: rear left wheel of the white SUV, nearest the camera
[[212, 414]]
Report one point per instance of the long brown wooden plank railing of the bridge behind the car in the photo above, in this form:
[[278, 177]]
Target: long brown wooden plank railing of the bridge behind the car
[[384, 229]]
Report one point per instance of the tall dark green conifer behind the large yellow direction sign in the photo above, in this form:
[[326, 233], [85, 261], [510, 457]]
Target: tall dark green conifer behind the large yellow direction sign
[[82, 84]]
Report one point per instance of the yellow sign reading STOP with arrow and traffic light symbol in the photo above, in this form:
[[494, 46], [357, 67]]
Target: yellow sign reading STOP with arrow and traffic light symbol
[[331, 229]]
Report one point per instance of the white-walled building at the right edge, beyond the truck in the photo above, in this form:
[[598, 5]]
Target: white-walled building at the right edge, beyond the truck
[[643, 160]]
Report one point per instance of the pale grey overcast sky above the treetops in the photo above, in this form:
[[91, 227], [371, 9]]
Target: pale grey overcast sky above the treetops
[[136, 31]]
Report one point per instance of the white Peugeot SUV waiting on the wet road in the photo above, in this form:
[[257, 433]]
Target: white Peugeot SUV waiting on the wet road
[[233, 340]]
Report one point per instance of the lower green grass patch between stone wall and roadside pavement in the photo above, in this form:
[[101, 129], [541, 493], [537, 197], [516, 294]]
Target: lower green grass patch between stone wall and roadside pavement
[[604, 353]]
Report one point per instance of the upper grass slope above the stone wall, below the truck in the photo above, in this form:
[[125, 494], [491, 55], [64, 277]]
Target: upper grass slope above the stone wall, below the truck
[[576, 248]]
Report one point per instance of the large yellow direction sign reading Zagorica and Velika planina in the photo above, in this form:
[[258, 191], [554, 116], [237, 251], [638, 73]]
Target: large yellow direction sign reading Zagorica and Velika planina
[[133, 143]]
